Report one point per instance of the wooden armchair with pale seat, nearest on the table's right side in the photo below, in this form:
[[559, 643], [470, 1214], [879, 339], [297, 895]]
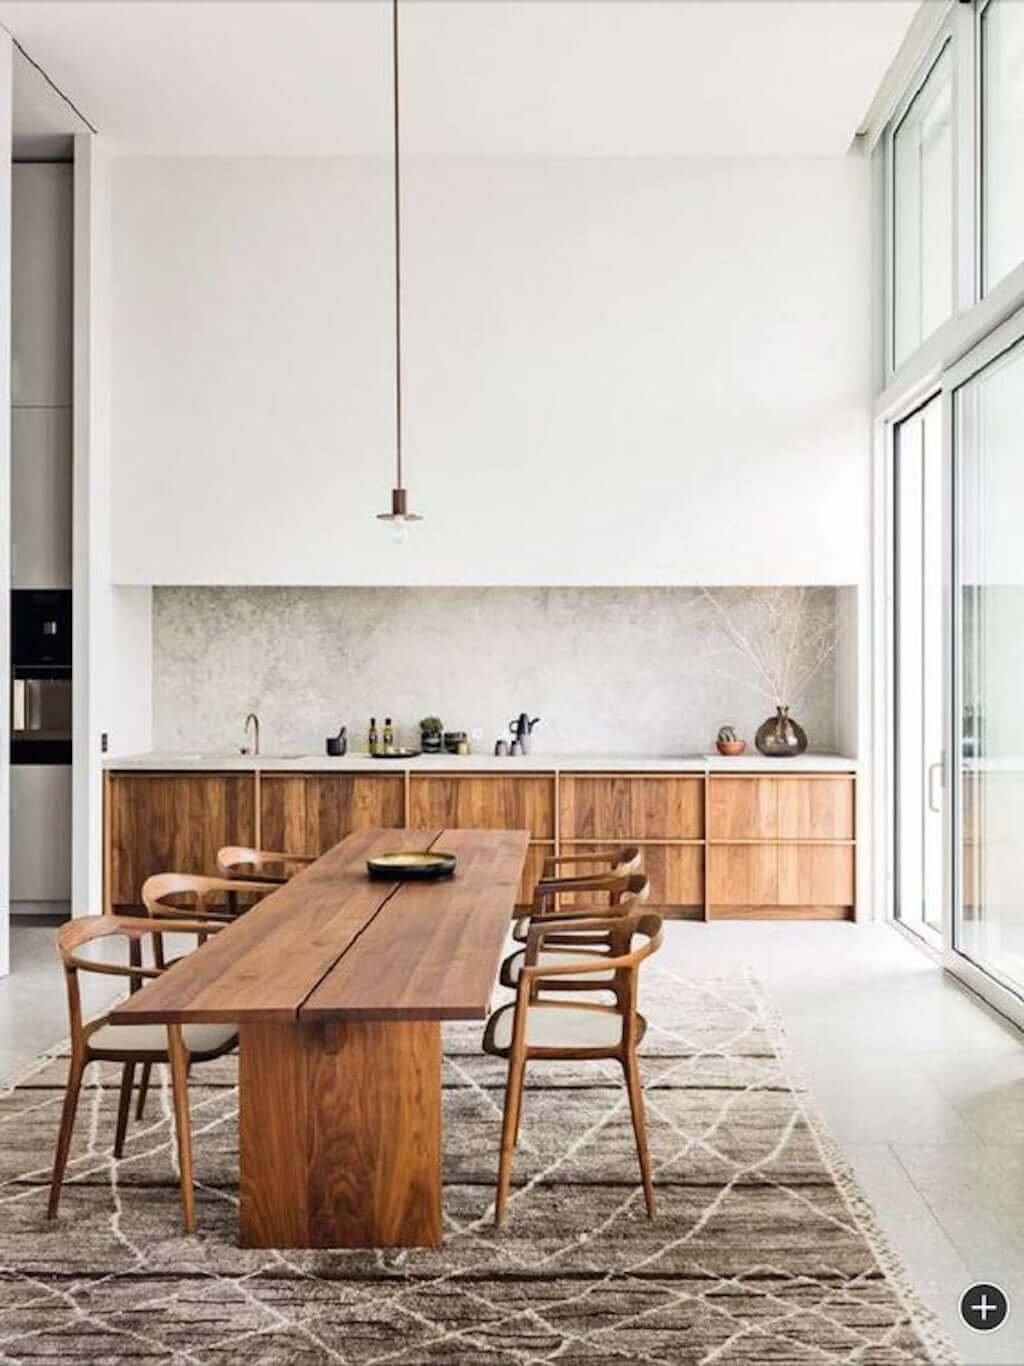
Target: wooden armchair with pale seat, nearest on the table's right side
[[536, 1029]]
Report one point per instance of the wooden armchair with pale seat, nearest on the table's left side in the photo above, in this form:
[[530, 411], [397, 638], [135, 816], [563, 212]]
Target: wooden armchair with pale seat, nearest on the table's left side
[[84, 947]]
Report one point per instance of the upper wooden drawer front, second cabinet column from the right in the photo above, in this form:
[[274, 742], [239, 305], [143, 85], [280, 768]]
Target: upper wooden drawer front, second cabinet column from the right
[[631, 808]]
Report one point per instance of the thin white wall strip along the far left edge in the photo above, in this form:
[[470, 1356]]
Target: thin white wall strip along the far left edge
[[6, 95]]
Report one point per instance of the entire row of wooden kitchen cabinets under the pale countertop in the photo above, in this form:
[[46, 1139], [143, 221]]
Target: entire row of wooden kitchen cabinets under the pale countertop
[[776, 846]]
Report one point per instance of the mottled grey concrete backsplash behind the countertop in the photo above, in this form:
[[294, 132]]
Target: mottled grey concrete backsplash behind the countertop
[[611, 671]]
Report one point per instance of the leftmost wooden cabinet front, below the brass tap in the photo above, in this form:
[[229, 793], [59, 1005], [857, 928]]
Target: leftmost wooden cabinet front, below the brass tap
[[174, 823]]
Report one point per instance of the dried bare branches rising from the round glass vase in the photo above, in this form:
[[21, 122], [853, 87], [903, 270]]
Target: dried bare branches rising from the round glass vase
[[794, 635]]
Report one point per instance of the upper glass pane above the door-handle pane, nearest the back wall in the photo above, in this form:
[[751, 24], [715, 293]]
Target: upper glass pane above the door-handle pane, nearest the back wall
[[924, 211]]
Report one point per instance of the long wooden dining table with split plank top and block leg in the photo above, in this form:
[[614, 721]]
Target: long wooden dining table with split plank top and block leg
[[339, 986]]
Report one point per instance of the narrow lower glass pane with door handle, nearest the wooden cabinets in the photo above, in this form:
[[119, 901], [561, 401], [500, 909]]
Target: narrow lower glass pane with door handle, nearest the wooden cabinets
[[920, 673]]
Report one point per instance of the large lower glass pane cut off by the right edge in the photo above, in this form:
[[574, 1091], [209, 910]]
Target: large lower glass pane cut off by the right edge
[[991, 495]]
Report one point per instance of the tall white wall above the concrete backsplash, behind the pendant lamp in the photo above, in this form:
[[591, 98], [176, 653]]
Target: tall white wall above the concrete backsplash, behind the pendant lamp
[[619, 372]]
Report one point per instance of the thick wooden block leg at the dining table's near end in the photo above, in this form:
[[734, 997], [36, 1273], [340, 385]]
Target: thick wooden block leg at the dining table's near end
[[341, 1134]]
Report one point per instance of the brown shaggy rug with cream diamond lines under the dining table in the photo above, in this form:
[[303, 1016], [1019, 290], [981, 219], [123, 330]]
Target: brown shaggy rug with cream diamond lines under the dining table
[[763, 1251]]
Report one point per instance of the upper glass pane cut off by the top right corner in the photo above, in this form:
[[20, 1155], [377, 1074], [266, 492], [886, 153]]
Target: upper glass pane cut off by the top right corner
[[1003, 139]]
